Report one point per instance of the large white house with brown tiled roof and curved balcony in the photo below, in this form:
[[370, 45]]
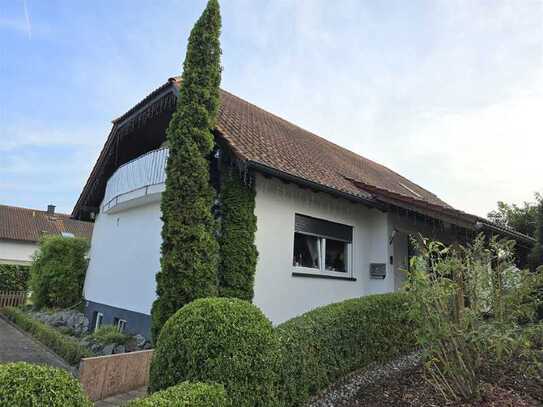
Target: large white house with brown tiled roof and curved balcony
[[331, 224]]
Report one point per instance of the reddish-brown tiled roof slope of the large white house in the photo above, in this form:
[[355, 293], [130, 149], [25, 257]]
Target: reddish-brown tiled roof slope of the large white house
[[259, 136]]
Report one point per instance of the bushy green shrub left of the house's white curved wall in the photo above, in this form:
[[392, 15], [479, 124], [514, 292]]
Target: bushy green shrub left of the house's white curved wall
[[58, 271]]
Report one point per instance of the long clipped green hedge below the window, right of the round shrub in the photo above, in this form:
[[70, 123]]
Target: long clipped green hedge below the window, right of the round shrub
[[324, 344]]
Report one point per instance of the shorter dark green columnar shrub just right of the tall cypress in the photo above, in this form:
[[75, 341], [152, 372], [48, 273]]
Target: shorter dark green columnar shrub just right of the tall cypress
[[238, 254]]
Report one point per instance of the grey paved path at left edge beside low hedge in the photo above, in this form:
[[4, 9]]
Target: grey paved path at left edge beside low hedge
[[16, 347]]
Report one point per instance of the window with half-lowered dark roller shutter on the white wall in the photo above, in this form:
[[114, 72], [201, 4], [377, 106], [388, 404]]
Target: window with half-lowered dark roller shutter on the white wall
[[322, 246]]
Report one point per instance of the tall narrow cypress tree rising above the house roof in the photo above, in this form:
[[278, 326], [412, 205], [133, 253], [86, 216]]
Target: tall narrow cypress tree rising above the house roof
[[189, 248]]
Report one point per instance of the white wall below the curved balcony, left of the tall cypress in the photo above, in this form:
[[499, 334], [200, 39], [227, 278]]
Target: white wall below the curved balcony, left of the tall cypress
[[125, 257]]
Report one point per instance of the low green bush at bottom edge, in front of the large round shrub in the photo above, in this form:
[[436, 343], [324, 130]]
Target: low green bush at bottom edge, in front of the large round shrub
[[185, 394]]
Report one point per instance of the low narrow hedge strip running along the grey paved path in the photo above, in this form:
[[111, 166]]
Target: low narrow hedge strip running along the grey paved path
[[67, 348]]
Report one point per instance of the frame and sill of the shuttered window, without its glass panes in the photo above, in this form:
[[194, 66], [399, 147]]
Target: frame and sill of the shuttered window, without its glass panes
[[322, 271]]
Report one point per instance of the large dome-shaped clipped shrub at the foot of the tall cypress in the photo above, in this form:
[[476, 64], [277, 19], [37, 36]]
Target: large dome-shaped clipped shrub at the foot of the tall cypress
[[221, 340]]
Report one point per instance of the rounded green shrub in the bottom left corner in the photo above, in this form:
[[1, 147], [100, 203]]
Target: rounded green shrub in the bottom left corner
[[27, 385]]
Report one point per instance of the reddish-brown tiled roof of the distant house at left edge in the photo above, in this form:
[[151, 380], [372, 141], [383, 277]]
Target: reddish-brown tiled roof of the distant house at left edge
[[30, 224]]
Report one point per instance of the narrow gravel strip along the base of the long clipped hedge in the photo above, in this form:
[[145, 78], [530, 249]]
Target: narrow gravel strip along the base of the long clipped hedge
[[345, 389]]
